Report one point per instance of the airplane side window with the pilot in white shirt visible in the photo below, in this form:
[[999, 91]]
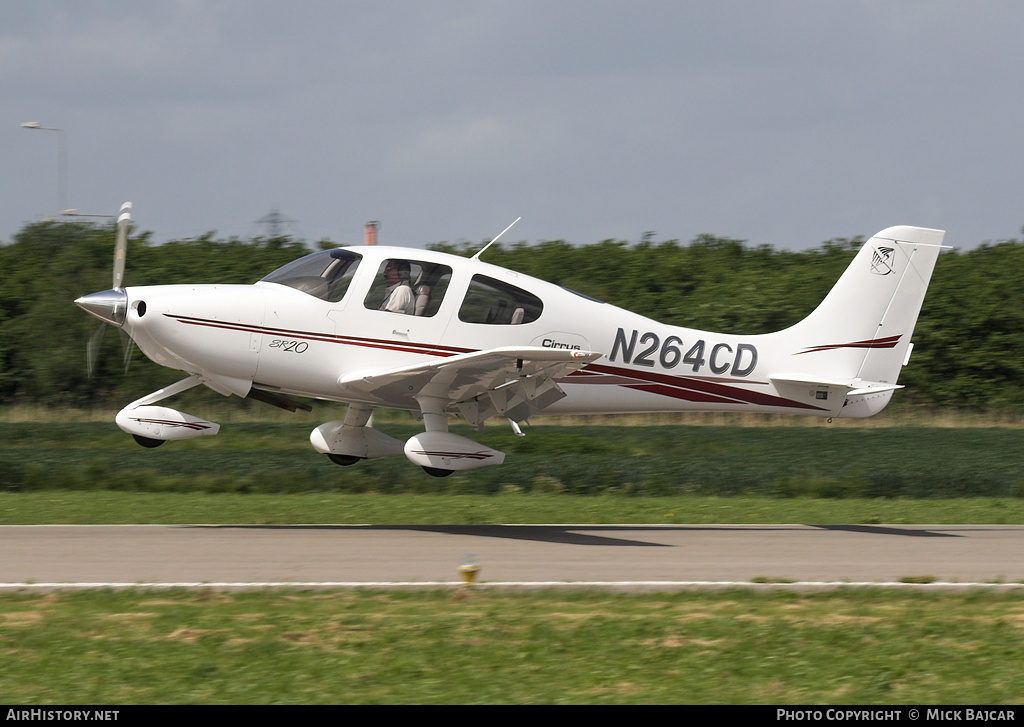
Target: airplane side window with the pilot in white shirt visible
[[409, 287]]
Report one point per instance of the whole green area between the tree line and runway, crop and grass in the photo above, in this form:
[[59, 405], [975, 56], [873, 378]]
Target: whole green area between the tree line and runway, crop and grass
[[266, 473]]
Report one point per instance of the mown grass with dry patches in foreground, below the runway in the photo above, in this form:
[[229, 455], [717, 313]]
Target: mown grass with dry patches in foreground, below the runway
[[864, 648]]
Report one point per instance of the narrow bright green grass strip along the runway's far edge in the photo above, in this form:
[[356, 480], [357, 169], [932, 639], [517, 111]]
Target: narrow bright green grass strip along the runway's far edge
[[104, 507]]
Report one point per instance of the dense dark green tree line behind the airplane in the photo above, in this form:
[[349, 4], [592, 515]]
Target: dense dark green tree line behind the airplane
[[969, 345]]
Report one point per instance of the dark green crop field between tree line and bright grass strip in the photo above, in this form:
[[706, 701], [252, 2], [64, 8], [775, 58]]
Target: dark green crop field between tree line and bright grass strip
[[776, 462]]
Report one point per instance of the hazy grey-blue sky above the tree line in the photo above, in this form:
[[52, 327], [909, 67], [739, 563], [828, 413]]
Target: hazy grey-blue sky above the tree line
[[784, 123]]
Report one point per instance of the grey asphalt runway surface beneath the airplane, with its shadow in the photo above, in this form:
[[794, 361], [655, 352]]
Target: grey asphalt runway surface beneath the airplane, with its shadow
[[629, 558]]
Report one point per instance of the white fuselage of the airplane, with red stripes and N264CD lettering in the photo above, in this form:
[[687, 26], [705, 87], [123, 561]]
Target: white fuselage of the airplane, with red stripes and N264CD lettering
[[324, 318]]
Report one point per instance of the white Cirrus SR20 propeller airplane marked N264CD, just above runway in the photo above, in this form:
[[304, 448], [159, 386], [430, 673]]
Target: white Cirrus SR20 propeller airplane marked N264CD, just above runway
[[442, 335]]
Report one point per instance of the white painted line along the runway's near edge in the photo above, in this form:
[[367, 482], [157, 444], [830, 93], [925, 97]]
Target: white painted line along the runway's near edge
[[518, 584]]
